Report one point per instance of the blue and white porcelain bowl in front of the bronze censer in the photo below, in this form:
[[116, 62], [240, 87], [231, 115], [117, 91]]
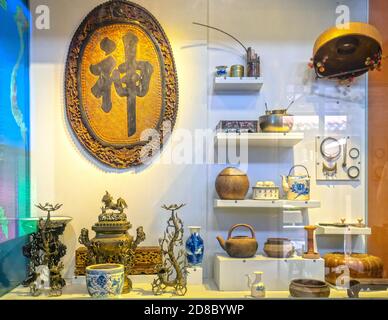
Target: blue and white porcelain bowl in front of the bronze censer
[[105, 280]]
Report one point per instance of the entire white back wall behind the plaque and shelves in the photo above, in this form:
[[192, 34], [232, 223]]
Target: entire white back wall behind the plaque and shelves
[[283, 32]]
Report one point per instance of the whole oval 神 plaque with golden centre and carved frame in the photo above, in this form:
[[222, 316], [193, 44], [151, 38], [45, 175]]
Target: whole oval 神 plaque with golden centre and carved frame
[[120, 82]]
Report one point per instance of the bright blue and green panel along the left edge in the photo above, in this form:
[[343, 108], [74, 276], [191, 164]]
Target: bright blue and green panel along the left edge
[[14, 139]]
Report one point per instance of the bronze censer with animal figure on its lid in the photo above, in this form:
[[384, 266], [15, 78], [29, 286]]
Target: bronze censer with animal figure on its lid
[[112, 243]]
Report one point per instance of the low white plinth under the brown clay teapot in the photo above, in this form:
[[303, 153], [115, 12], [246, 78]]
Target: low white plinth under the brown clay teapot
[[230, 273]]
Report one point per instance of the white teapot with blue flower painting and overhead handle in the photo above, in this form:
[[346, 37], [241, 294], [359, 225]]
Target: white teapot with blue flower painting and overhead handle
[[297, 187]]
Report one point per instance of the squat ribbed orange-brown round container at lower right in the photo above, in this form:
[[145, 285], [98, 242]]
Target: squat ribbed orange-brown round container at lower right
[[361, 266]]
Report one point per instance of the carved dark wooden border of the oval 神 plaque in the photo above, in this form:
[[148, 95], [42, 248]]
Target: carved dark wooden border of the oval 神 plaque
[[111, 12]]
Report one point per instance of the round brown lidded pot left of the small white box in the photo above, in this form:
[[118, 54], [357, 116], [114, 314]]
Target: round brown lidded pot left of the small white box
[[232, 184]]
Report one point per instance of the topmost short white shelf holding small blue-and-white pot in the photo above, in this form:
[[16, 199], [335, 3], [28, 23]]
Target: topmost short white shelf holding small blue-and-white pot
[[238, 84]]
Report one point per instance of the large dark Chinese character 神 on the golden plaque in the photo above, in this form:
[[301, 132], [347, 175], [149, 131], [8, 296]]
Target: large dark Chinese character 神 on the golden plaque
[[131, 79]]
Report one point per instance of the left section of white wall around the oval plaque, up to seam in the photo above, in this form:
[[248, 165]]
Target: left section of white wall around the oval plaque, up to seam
[[62, 173]]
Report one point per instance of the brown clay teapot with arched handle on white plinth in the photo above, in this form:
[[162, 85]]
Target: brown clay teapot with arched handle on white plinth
[[240, 246]]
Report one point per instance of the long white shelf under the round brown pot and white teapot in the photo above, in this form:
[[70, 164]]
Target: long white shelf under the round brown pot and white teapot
[[282, 204]]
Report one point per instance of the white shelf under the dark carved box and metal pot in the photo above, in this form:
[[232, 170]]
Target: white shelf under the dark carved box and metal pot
[[262, 139]]
